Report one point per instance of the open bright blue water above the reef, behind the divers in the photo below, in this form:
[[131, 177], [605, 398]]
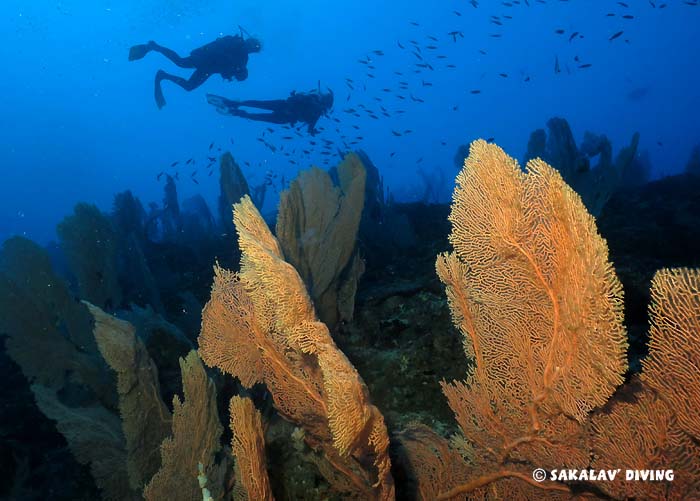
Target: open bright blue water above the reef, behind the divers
[[79, 122]]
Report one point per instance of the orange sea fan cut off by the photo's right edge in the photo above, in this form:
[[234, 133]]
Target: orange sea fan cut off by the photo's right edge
[[659, 427]]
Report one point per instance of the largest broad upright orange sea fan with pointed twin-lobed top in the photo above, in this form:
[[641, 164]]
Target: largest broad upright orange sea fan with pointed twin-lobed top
[[540, 308]]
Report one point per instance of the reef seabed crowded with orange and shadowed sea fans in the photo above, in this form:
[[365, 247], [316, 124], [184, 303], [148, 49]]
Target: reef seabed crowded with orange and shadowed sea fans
[[529, 287]]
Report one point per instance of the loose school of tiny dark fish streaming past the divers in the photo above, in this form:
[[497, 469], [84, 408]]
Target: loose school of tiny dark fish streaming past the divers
[[394, 99]]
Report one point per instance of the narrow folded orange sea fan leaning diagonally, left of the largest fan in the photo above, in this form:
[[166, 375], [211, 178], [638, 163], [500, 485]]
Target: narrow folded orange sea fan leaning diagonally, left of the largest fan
[[260, 326]]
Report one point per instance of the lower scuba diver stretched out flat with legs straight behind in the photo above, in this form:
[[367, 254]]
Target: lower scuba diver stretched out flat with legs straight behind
[[305, 107]]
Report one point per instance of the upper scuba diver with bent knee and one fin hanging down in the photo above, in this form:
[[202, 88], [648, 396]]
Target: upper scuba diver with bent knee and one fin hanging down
[[227, 56]]
